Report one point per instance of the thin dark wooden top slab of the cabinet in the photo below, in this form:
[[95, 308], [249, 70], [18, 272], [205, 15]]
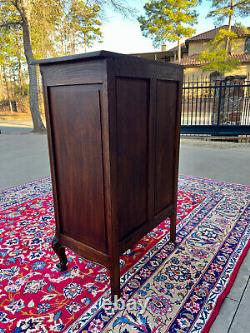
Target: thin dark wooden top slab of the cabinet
[[96, 55]]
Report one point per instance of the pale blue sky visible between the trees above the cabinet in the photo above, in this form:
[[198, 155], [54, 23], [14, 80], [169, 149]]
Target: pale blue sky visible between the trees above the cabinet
[[124, 35]]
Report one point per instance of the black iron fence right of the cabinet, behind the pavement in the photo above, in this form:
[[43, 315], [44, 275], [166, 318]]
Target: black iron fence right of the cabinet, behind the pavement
[[219, 107]]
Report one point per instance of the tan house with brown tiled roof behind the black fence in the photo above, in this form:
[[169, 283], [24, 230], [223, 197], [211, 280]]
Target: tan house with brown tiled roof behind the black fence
[[192, 47]]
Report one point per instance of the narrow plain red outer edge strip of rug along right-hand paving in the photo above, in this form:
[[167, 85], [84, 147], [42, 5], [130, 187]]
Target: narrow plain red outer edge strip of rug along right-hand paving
[[226, 291]]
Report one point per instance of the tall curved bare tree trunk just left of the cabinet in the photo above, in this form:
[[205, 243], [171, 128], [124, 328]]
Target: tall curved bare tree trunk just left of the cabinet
[[33, 78]]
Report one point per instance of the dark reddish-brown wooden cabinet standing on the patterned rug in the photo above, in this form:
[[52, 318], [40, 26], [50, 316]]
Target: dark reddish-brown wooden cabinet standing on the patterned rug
[[113, 125]]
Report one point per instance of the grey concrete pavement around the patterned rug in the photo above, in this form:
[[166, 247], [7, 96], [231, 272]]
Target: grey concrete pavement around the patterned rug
[[24, 157]]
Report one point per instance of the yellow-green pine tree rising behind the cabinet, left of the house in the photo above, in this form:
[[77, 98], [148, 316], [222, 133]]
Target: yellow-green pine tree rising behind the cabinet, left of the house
[[169, 20]]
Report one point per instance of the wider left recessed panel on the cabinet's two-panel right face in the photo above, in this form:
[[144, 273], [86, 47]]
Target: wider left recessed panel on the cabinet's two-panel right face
[[132, 160]]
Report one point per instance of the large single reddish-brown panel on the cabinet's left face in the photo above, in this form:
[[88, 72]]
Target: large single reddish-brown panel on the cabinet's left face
[[77, 141]]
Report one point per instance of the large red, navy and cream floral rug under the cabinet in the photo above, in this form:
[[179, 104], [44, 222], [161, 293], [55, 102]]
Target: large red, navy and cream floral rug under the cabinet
[[166, 287]]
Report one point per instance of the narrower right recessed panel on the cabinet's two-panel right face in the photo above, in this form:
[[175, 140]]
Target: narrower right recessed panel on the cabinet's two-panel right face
[[165, 143]]
